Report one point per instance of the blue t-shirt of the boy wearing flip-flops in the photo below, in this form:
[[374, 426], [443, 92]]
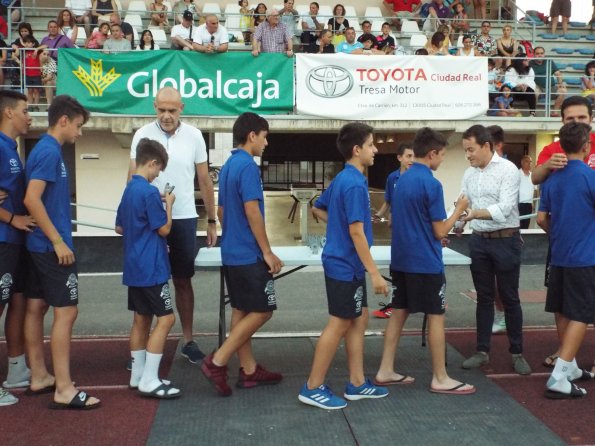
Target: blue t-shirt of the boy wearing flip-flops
[[417, 203]]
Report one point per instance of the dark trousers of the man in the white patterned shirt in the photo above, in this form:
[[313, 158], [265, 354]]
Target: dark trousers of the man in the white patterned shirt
[[497, 259]]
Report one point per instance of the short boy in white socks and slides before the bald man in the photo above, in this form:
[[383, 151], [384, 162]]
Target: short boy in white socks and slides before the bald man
[[145, 225]]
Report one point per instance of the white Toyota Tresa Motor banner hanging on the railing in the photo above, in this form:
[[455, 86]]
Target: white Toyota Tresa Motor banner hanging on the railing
[[358, 87]]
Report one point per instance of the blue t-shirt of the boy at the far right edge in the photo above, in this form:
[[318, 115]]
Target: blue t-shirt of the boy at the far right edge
[[569, 196]]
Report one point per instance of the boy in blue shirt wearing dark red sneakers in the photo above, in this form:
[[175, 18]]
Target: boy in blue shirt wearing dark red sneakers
[[249, 263]]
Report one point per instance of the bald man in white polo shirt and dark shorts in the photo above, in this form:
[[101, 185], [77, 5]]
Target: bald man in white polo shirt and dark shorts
[[187, 152]]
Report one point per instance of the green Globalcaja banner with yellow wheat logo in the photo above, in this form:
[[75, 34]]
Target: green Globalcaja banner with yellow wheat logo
[[217, 84]]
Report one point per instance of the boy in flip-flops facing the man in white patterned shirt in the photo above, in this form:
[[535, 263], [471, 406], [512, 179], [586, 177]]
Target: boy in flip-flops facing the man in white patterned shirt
[[416, 266]]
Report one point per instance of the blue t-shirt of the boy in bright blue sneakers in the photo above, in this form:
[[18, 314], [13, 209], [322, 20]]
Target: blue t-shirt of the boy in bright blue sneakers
[[347, 201]]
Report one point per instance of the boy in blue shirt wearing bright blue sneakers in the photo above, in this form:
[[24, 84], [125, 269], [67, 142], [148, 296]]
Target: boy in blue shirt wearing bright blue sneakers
[[345, 206]]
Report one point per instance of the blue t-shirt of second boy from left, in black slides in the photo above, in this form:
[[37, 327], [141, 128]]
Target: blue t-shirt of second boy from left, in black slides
[[45, 163]]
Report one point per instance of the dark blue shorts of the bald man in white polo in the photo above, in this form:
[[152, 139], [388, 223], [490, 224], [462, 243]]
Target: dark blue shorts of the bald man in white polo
[[182, 247]]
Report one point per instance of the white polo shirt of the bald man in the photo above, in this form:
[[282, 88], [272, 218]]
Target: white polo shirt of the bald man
[[186, 148]]
